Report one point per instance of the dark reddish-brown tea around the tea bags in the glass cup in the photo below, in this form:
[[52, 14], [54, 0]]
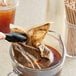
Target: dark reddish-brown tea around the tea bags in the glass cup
[[21, 59]]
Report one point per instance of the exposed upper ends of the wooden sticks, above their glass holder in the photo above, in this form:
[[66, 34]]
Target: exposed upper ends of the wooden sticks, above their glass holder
[[70, 7]]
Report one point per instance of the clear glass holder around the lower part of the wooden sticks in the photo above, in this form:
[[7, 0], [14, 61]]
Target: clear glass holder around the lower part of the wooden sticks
[[70, 39]]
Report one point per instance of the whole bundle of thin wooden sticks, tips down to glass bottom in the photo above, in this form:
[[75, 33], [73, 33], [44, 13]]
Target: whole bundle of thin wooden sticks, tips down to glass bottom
[[70, 7]]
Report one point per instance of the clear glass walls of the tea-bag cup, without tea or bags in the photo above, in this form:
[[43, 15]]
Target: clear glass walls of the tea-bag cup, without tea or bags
[[52, 39]]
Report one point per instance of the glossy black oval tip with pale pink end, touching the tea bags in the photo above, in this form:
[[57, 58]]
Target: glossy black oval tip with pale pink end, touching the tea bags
[[13, 37]]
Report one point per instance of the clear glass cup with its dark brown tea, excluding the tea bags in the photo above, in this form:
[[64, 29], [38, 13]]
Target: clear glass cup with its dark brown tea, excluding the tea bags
[[53, 42]]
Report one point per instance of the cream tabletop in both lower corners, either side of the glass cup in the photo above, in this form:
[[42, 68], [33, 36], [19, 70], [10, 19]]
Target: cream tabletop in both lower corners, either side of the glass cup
[[69, 68]]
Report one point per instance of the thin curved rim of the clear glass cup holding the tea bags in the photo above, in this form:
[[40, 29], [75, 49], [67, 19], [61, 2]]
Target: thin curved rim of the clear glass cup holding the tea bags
[[52, 67]]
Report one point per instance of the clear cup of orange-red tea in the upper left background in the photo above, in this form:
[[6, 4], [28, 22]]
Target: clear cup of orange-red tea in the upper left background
[[7, 15]]
